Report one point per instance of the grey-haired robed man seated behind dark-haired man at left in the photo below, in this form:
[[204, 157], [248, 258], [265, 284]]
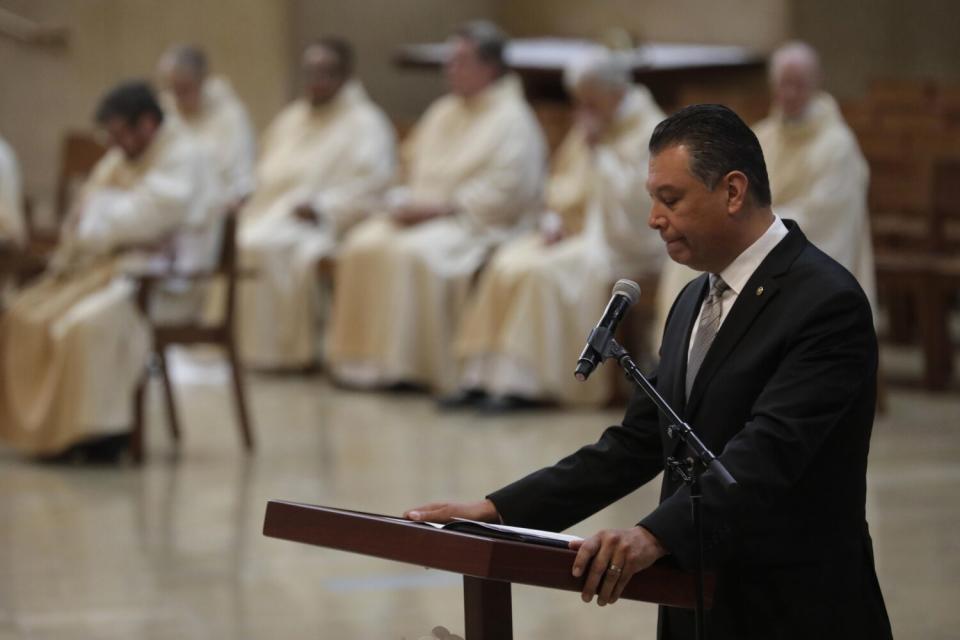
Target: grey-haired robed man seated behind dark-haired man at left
[[207, 107]]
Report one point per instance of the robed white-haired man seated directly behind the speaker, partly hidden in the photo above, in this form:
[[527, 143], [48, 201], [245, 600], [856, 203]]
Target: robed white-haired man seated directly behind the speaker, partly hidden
[[817, 174]]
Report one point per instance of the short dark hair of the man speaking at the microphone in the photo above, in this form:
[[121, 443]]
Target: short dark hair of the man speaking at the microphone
[[718, 142]]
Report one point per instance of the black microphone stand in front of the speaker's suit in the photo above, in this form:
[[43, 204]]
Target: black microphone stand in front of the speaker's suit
[[688, 470]]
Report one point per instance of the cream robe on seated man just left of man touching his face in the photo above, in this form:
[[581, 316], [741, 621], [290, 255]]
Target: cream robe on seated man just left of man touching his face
[[399, 292]]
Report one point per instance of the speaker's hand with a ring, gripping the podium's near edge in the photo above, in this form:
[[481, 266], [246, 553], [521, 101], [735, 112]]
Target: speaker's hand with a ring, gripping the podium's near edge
[[610, 558]]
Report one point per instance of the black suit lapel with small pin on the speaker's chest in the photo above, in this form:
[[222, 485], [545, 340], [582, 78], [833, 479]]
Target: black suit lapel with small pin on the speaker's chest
[[760, 289]]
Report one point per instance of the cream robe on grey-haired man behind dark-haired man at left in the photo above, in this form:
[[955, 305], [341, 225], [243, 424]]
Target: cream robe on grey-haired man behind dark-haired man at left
[[223, 127]]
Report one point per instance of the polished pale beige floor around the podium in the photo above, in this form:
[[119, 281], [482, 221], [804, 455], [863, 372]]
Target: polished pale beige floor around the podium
[[174, 549]]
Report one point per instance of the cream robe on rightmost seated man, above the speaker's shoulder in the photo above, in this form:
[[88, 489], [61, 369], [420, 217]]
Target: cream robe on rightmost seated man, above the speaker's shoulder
[[819, 178]]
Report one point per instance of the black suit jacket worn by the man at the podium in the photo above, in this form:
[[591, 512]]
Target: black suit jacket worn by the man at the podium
[[786, 398]]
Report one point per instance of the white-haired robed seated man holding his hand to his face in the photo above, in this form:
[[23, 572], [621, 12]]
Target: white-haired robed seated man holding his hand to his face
[[540, 296]]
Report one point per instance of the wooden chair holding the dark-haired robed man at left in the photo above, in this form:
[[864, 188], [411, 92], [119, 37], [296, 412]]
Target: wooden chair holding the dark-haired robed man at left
[[195, 333]]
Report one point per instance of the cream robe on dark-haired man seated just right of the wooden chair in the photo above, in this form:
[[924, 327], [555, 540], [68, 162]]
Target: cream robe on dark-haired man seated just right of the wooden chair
[[339, 158]]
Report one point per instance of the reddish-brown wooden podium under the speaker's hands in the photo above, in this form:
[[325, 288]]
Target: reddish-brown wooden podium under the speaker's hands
[[488, 565]]
